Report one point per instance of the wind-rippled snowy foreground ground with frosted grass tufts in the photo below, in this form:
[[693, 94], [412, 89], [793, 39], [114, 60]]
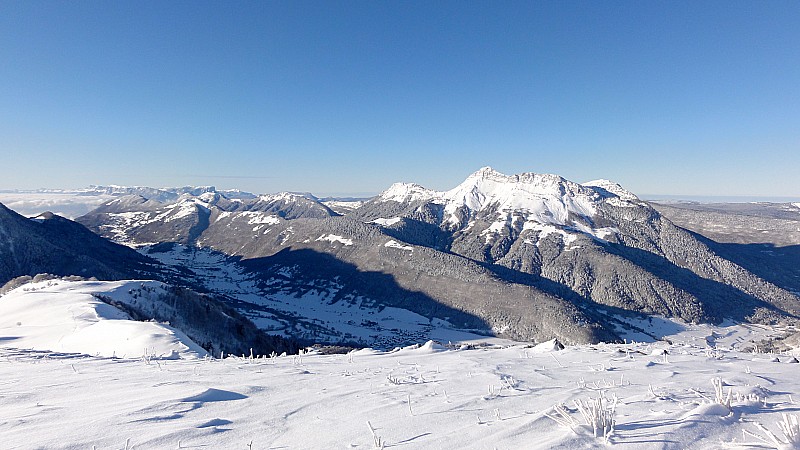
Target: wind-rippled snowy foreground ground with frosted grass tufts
[[655, 396]]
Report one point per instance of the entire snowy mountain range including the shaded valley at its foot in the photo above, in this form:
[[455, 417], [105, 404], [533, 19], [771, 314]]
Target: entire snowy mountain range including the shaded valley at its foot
[[527, 256]]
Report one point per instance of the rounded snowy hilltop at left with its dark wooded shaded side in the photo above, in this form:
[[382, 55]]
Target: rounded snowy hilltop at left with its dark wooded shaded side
[[128, 318]]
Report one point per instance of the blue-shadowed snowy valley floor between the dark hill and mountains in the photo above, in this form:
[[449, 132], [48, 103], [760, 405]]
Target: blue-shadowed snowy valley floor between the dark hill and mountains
[[312, 314]]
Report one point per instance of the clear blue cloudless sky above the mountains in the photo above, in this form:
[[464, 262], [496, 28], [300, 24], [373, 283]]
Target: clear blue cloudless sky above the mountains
[[333, 97]]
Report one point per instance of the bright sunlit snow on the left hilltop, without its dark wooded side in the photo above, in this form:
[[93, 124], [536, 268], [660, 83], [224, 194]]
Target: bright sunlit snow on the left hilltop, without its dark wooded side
[[66, 317]]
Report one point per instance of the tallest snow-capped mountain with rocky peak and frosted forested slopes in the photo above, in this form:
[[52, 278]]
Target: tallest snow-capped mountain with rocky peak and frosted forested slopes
[[596, 240]]
